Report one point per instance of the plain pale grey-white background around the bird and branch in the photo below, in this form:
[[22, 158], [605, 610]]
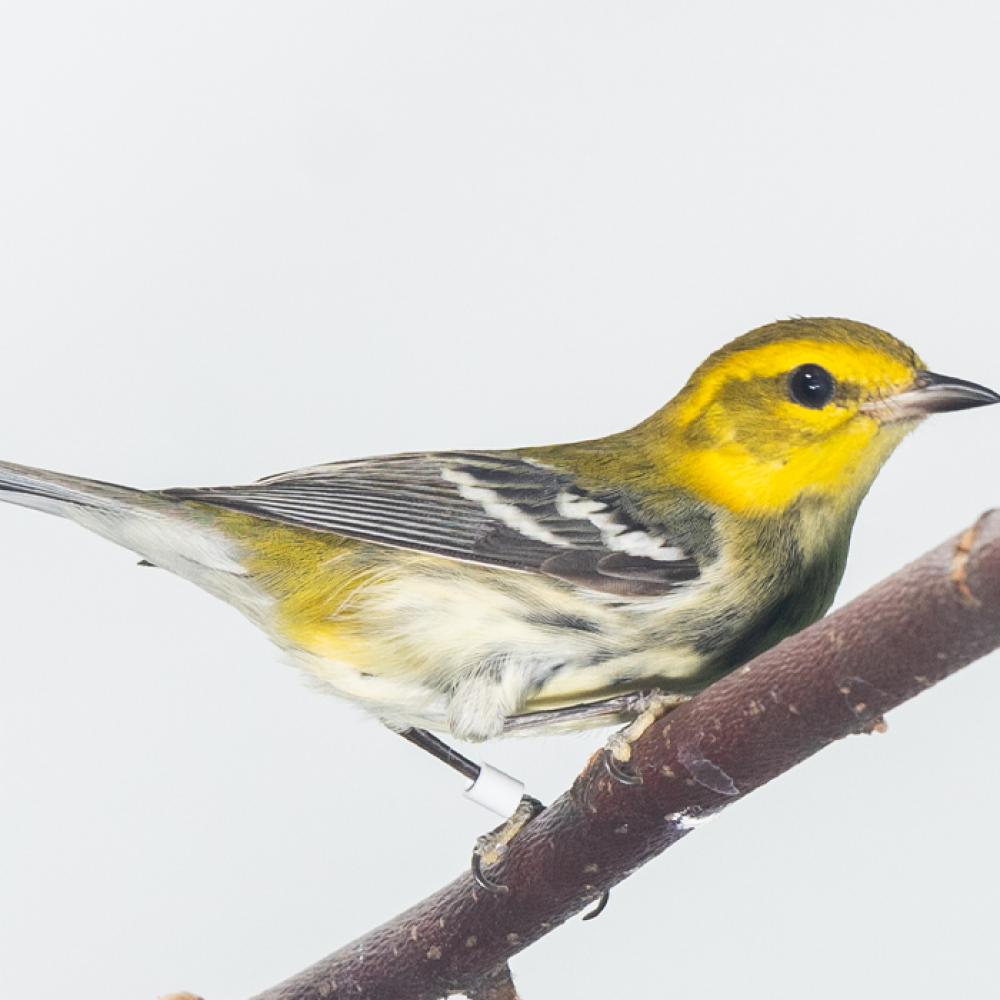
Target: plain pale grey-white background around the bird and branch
[[240, 238]]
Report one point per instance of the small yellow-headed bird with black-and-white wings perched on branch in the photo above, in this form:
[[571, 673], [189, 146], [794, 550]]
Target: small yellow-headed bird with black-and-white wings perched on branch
[[476, 593]]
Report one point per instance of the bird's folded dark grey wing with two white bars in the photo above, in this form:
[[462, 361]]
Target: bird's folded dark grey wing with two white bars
[[496, 508]]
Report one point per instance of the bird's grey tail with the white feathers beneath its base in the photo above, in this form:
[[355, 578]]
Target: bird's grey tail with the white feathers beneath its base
[[170, 533]]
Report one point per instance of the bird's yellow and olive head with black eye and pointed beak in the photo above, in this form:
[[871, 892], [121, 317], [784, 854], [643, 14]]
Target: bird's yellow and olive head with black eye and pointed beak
[[801, 408]]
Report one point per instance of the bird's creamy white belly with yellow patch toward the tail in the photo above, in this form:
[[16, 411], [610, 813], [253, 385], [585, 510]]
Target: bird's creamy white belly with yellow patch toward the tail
[[425, 641]]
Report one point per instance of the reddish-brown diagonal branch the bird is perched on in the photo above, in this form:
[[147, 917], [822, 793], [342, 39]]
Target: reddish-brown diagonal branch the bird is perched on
[[836, 678]]
